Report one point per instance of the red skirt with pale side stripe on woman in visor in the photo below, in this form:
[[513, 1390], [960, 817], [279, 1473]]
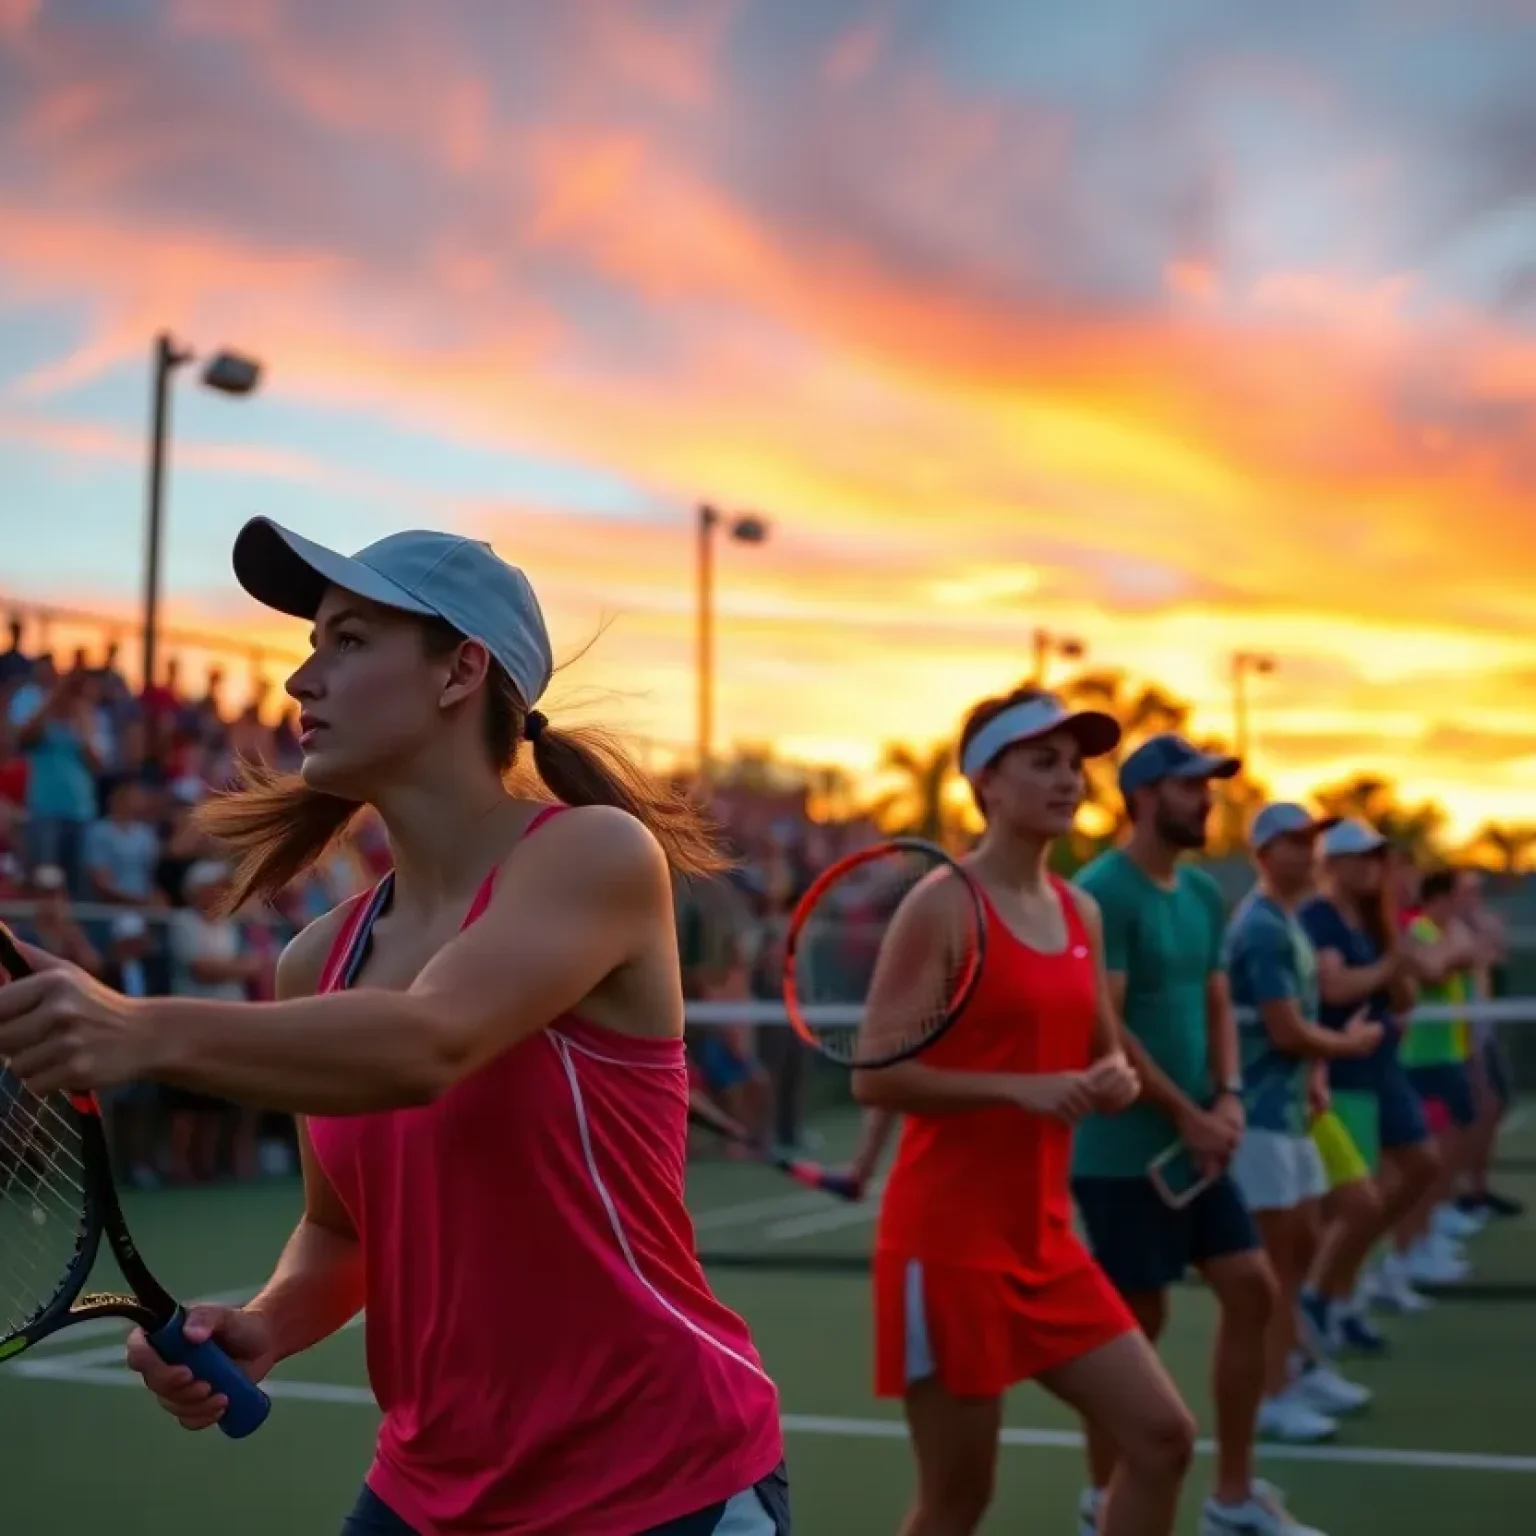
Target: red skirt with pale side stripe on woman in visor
[[982, 1331]]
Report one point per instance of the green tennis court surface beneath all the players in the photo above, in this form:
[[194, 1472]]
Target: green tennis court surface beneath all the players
[[1449, 1440]]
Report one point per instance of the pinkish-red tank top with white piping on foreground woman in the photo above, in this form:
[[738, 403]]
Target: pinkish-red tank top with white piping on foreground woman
[[540, 1334]]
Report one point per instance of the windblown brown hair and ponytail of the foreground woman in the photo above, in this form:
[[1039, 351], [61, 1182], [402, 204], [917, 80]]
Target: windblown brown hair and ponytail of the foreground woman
[[276, 827]]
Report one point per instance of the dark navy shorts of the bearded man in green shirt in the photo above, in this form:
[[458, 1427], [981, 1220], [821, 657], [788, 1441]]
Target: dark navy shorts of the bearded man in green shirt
[[1145, 1246]]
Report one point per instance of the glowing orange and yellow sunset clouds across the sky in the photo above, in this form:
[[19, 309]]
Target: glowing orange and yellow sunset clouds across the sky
[[869, 322]]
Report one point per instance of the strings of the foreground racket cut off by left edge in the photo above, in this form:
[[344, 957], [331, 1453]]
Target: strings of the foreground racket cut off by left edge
[[42, 1202]]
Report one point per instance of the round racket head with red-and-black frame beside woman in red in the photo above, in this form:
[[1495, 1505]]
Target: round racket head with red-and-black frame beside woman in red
[[884, 953]]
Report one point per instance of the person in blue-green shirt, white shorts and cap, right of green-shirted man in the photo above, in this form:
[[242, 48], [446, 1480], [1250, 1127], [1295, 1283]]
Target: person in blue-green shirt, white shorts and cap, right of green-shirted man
[[1274, 979]]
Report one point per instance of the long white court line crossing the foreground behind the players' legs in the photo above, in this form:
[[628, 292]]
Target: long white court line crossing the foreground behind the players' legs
[[895, 1429]]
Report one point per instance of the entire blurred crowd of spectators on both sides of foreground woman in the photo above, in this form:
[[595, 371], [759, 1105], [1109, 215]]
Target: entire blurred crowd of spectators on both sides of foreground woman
[[101, 862]]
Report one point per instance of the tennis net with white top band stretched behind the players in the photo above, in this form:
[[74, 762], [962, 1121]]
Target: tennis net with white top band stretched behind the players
[[749, 1217]]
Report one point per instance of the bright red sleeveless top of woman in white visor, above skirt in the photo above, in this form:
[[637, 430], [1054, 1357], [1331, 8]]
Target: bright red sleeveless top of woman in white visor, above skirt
[[990, 1188]]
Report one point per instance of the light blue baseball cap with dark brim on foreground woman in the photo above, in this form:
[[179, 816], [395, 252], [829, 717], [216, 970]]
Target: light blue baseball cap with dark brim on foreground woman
[[435, 575]]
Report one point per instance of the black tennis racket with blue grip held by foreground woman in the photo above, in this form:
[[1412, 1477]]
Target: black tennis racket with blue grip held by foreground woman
[[58, 1202]]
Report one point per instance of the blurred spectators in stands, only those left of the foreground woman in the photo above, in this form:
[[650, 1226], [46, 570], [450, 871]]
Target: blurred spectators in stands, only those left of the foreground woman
[[101, 862]]
